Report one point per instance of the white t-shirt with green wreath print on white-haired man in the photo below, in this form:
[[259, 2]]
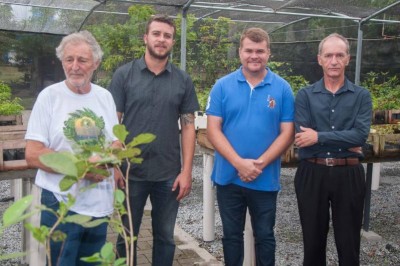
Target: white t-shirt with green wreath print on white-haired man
[[59, 119]]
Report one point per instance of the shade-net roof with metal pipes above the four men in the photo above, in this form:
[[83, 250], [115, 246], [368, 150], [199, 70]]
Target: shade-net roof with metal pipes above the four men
[[63, 17]]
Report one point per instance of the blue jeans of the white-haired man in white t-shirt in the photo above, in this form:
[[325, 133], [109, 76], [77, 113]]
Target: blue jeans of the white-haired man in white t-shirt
[[80, 241]]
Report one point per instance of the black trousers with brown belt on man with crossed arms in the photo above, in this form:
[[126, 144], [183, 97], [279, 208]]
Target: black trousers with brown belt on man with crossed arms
[[341, 189]]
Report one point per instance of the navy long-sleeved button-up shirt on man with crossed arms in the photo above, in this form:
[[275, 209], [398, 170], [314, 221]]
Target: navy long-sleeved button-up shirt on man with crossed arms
[[342, 119]]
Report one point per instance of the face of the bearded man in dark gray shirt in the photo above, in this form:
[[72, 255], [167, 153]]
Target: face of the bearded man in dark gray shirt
[[159, 40]]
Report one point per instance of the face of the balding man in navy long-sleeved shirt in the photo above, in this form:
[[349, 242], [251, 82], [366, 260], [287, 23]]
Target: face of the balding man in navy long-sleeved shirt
[[334, 58]]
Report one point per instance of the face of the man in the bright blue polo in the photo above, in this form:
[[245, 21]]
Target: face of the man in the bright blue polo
[[254, 56]]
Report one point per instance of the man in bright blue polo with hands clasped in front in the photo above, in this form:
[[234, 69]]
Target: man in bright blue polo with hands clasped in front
[[250, 124]]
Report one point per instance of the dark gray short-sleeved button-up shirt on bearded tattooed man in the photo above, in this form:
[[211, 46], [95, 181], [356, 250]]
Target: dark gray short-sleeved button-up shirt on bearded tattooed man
[[152, 104]]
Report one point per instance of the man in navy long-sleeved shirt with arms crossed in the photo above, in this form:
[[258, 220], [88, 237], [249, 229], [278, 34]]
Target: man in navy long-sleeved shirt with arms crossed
[[332, 119]]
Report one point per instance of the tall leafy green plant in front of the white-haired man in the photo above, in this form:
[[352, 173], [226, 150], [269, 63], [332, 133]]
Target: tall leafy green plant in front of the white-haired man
[[74, 167]]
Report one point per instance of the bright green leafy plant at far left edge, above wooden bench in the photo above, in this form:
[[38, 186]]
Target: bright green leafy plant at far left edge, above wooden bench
[[9, 105]]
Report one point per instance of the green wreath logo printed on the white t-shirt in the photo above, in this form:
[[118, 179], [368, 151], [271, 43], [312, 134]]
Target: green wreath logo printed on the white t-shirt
[[84, 127]]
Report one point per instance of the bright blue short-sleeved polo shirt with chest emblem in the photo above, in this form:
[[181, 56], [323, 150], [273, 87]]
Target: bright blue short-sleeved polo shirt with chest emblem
[[251, 120]]
